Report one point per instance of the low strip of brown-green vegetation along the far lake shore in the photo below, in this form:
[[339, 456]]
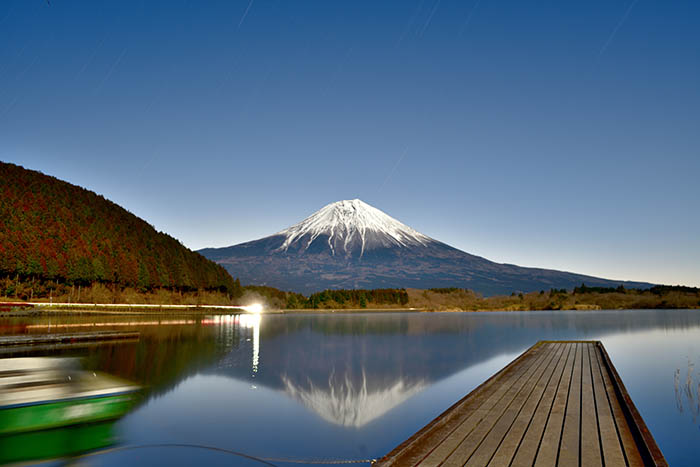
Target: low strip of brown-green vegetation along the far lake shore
[[443, 299]]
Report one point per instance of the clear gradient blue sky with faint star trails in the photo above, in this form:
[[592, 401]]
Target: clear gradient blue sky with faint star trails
[[560, 134]]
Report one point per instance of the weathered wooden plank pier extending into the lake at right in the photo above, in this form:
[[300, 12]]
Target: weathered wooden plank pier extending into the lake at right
[[559, 403]]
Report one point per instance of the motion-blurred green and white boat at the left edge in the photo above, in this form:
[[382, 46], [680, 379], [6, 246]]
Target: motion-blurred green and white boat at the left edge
[[47, 393]]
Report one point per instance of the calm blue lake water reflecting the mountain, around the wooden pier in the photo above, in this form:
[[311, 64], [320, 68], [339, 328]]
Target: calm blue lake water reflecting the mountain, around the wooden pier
[[353, 386]]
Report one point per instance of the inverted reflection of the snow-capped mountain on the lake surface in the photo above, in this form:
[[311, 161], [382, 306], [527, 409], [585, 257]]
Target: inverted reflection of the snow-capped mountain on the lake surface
[[337, 367]]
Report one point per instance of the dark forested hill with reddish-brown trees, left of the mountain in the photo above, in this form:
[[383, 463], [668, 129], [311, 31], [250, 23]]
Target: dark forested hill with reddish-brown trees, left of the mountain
[[51, 229]]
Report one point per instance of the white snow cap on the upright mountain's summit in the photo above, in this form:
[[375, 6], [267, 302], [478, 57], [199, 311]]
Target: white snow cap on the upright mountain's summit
[[351, 225]]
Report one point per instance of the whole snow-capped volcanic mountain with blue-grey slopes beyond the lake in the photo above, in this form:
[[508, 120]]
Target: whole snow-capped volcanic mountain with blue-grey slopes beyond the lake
[[350, 244]]
